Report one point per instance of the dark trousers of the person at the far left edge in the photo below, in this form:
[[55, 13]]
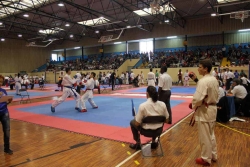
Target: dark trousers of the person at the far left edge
[[5, 120]]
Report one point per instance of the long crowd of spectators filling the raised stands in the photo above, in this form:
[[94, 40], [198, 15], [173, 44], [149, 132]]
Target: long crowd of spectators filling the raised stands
[[172, 58]]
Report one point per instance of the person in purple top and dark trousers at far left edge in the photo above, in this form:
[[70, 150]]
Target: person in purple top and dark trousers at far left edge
[[5, 118]]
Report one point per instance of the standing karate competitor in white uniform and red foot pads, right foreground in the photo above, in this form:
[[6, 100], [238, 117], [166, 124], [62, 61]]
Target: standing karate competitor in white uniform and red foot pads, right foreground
[[204, 104]]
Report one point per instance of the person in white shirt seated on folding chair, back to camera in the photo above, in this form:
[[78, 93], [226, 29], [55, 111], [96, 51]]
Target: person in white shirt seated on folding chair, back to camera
[[152, 107]]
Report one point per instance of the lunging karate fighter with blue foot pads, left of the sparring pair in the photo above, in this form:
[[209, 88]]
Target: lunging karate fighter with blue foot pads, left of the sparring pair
[[68, 90]]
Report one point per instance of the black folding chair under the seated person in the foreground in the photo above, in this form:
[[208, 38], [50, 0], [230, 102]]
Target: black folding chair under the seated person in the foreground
[[152, 133]]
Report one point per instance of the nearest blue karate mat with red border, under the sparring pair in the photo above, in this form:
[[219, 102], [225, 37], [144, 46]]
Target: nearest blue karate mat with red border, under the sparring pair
[[110, 121]]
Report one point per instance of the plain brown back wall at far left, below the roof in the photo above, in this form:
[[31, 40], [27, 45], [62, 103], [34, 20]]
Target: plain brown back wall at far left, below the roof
[[15, 56]]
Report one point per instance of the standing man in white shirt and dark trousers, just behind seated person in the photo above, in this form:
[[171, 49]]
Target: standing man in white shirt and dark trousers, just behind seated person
[[164, 90]]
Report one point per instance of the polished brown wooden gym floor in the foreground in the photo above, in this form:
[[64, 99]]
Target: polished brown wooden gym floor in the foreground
[[40, 146]]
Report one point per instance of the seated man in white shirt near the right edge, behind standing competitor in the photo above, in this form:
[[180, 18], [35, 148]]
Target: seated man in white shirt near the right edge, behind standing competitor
[[238, 91]]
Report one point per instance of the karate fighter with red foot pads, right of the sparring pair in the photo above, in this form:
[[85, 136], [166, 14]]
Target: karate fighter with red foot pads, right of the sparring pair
[[88, 95]]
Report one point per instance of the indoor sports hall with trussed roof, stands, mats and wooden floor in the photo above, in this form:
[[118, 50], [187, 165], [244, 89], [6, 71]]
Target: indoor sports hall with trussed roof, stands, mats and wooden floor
[[40, 39]]
